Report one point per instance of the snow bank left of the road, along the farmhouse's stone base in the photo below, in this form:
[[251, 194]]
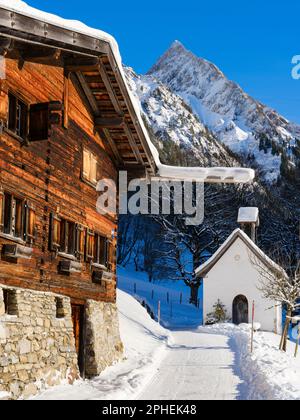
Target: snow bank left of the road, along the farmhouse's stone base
[[145, 345]]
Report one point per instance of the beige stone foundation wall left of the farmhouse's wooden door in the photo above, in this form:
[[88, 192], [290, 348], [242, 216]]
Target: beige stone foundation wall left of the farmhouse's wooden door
[[37, 346]]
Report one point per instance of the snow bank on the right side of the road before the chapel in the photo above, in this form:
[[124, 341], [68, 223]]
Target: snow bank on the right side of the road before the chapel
[[268, 373]]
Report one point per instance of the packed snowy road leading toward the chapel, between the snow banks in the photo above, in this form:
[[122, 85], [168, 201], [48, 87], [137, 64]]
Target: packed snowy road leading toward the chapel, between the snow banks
[[197, 366]]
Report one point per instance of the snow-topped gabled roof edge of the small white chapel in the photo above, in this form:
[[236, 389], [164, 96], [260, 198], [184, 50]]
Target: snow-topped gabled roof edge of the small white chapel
[[238, 233]]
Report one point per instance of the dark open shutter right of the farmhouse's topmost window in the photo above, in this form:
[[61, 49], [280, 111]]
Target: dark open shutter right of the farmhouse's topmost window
[[41, 117]]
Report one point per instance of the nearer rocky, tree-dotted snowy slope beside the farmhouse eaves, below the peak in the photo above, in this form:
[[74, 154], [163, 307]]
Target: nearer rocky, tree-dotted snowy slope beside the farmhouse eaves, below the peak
[[172, 121]]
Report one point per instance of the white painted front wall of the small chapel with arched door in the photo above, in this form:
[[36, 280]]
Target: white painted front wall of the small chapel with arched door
[[233, 275]]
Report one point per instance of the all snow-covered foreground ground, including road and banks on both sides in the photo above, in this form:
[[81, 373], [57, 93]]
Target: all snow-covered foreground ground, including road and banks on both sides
[[211, 363]]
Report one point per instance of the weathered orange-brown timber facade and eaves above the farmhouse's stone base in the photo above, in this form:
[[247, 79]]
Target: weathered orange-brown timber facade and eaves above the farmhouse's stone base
[[93, 113]]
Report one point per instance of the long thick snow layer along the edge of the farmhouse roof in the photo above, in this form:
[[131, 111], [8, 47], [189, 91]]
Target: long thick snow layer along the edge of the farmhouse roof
[[237, 175]]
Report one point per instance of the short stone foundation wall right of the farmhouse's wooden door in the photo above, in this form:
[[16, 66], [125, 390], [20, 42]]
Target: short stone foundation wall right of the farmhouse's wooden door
[[103, 342]]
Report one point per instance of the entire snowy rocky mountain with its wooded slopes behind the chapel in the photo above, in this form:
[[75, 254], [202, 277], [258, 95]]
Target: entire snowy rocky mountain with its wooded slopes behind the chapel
[[196, 116]]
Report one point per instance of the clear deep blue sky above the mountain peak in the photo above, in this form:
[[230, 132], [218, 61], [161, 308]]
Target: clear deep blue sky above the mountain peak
[[251, 42]]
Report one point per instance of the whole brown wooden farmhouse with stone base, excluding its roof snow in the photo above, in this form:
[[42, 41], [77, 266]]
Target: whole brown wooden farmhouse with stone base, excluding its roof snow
[[66, 121]]
